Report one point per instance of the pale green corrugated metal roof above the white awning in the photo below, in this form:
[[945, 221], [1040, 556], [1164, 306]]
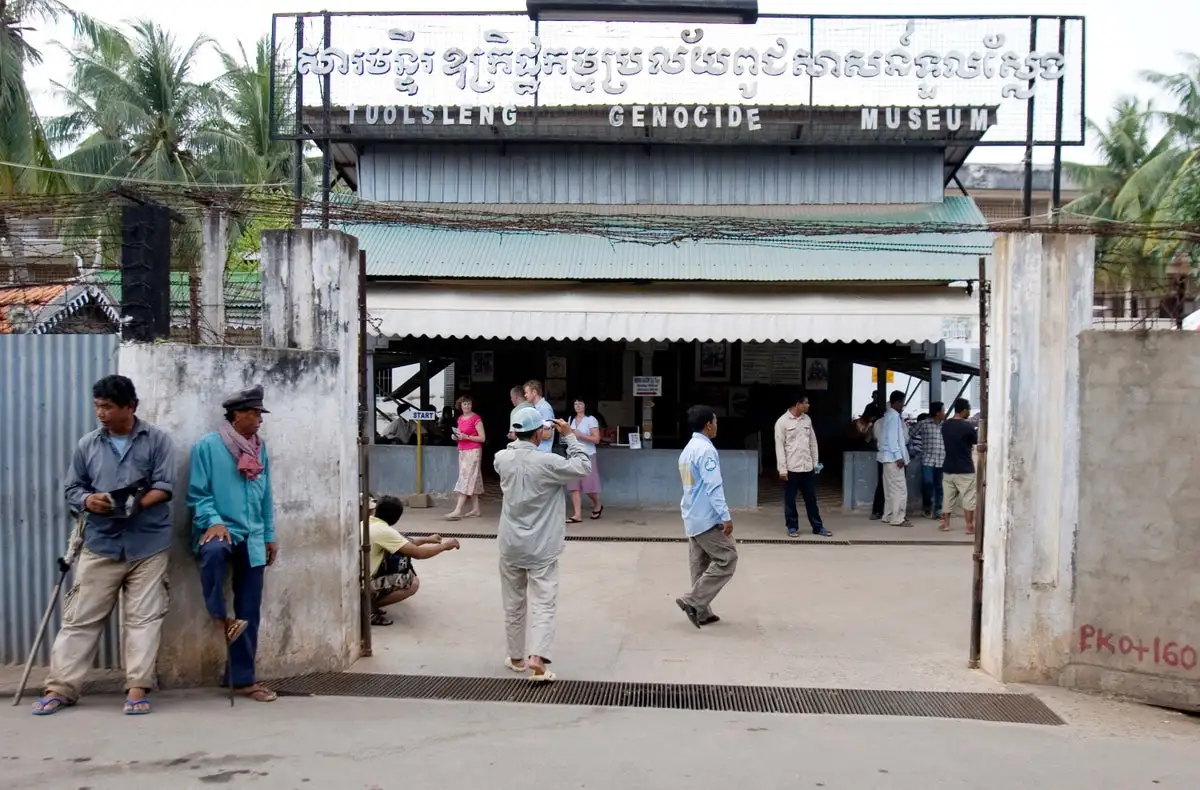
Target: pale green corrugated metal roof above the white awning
[[412, 252]]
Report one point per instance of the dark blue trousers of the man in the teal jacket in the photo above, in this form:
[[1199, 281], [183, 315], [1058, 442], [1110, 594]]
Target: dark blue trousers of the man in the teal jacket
[[218, 558]]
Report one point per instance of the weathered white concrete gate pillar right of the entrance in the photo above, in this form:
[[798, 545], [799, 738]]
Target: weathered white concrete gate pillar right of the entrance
[[1042, 300]]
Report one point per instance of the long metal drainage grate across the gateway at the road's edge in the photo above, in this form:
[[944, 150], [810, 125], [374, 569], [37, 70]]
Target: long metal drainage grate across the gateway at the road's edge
[[1017, 709]]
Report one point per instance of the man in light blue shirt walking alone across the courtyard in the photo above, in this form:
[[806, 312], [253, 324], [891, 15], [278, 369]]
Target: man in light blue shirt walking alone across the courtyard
[[706, 519]]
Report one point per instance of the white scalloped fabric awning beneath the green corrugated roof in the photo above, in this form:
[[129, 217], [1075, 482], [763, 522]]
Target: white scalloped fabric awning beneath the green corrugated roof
[[652, 315]]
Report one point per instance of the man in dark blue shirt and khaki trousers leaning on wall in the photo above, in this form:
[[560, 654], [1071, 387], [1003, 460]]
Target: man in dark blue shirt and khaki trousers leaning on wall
[[122, 477]]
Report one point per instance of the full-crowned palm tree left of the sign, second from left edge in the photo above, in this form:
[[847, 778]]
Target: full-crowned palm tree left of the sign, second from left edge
[[135, 113]]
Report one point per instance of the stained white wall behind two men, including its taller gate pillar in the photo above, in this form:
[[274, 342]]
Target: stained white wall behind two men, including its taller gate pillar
[[309, 370]]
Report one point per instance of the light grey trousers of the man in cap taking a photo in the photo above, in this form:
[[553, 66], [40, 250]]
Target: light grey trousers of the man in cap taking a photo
[[531, 599]]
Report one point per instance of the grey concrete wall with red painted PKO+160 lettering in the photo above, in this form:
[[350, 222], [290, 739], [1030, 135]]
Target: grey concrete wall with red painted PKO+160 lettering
[[1137, 625]]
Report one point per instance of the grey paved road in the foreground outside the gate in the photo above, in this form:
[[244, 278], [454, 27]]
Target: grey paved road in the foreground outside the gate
[[196, 741]]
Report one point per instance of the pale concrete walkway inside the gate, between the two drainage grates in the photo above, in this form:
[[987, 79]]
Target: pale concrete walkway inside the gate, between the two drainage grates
[[830, 617]]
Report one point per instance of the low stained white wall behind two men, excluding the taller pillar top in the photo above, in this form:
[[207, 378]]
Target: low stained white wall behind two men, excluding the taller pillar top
[[310, 607]]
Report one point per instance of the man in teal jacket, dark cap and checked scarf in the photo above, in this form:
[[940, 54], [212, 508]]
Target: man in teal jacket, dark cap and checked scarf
[[230, 495]]
